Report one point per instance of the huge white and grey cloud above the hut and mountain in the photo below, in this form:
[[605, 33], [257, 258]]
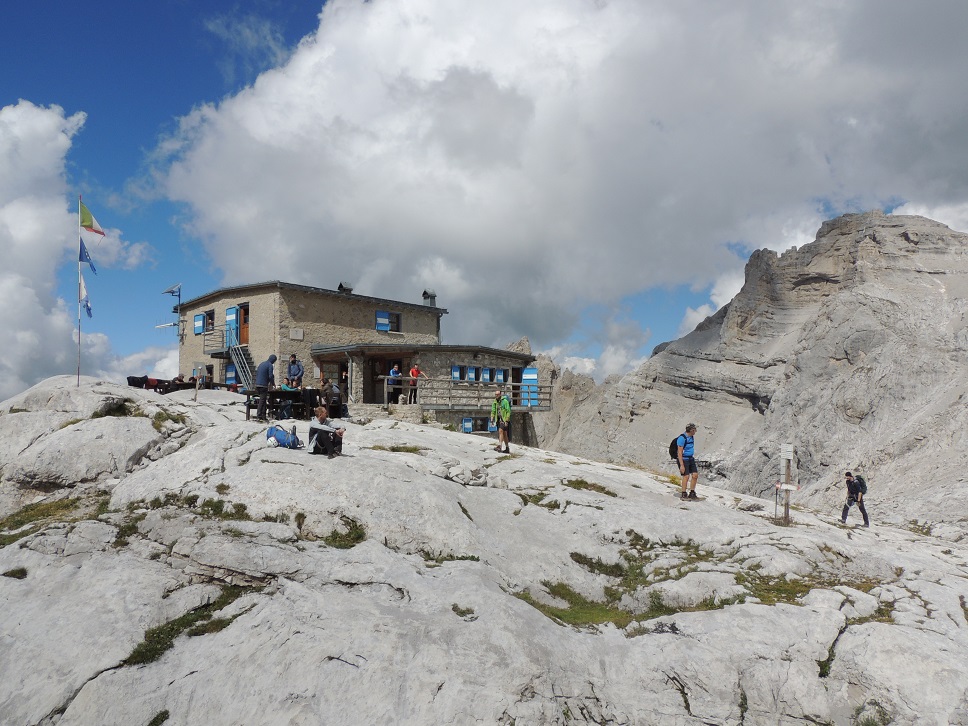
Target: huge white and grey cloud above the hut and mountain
[[529, 160]]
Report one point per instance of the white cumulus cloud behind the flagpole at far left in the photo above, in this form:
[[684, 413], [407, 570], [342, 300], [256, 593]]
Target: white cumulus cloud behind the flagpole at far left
[[38, 235]]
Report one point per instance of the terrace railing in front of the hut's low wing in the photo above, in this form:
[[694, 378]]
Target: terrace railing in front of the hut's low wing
[[447, 393]]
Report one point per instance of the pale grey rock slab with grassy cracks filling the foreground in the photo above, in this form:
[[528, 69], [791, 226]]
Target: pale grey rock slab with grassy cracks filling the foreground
[[424, 578]]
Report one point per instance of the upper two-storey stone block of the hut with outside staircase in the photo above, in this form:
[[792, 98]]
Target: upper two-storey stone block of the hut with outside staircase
[[226, 333]]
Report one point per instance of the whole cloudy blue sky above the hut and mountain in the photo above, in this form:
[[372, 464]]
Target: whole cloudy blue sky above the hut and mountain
[[590, 175]]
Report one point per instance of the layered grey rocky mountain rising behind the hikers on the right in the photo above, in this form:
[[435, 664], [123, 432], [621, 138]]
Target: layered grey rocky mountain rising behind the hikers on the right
[[852, 348]]
